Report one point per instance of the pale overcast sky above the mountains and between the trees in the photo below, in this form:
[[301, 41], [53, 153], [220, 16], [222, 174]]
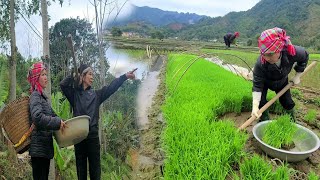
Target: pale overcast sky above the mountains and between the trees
[[29, 43]]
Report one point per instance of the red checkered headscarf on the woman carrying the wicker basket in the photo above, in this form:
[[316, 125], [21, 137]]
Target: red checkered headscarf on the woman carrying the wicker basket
[[33, 76]]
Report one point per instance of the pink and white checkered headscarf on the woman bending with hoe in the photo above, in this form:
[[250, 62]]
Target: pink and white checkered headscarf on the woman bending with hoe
[[273, 41]]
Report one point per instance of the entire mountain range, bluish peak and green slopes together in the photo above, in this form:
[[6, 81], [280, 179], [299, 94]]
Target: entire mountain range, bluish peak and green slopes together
[[300, 18]]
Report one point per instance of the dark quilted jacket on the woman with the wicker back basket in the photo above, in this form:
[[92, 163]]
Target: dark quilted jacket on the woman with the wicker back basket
[[45, 120]]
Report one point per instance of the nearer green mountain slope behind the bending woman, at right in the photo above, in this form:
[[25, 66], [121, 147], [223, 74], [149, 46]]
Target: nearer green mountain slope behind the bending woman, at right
[[300, 18]]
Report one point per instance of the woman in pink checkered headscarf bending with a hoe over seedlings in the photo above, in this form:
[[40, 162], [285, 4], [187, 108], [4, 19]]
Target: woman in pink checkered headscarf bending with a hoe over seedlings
[[277, 57]]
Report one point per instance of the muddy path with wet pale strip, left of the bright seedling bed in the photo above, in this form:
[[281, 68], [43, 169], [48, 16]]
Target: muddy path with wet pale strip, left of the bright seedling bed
[[147, 160]]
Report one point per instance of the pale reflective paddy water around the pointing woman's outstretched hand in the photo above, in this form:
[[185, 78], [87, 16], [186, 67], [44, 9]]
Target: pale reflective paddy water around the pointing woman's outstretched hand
[[122, 61]]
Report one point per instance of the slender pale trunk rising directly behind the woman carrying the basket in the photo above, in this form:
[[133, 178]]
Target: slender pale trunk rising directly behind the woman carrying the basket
[[46, 55]]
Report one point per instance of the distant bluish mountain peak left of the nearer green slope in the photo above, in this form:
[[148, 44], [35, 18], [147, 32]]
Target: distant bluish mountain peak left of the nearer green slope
[[156, 17]]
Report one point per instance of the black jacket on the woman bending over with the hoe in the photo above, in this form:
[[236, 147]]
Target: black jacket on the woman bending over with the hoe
[[274, 76]]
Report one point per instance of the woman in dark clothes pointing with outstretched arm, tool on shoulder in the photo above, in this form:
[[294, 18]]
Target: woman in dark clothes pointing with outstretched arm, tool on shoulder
[[86, 101]]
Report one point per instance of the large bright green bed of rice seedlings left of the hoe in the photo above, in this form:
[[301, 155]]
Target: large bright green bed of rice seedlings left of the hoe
[[196, 143]]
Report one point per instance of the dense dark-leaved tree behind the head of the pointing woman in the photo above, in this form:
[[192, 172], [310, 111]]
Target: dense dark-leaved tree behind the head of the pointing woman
[[85, 44]]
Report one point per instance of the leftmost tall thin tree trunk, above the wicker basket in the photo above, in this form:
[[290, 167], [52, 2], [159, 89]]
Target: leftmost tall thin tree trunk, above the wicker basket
[[12, 59]]
